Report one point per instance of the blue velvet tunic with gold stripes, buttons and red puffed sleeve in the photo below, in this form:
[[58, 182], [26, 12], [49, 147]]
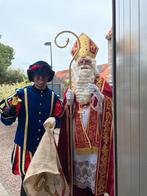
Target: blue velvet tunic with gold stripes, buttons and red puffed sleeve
[[36, 107]]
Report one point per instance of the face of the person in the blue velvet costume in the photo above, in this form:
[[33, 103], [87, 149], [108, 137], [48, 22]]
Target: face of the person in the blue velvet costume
[[40, 81]]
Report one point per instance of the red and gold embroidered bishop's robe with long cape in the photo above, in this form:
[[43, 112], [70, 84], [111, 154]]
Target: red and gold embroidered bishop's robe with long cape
[[100, 140]]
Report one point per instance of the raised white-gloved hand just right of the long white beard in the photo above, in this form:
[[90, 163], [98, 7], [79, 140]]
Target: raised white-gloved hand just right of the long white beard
[[96, 94]]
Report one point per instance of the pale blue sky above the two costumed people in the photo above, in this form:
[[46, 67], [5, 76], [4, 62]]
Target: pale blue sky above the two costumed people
[[27, 25]]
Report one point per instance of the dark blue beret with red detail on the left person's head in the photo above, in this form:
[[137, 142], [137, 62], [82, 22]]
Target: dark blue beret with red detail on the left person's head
[[40, 67]]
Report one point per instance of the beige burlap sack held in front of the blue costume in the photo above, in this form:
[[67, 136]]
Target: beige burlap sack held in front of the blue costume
[[44, 176]]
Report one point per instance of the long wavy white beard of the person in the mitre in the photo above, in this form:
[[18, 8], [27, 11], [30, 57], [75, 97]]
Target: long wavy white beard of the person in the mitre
[[80, 80]]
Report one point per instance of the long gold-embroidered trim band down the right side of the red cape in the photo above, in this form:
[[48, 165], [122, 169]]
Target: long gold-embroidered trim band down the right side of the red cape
[[105, 147]]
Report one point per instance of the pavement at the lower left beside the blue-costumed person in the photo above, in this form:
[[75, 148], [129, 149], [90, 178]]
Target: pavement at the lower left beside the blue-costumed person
[[9, 183]]
